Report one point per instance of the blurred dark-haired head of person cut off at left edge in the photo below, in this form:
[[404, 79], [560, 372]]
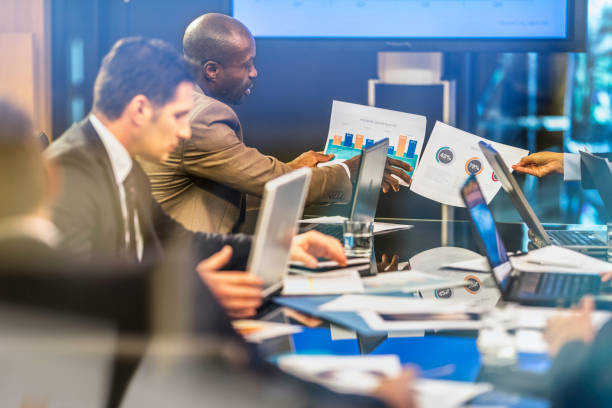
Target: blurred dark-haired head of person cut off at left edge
[[23, 178]]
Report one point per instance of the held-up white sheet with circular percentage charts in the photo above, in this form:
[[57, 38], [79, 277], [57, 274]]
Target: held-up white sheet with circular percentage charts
[[451, 155]]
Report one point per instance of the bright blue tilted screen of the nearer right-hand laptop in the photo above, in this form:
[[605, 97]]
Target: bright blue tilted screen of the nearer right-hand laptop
[[487, 234]]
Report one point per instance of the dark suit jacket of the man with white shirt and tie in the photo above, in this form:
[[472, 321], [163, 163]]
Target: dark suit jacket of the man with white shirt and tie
[[88, 212]]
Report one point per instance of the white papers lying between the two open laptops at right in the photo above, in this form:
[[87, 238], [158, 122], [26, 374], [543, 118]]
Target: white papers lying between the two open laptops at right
[[559, 259]]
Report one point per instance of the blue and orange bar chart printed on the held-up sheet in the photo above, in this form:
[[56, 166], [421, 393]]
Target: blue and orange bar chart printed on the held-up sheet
[[350, 146]]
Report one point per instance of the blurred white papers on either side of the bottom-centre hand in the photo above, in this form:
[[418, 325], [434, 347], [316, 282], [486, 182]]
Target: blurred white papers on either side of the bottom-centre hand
[[363, 374]]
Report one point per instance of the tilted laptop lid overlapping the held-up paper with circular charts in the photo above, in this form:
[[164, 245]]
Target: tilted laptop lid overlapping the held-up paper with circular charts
[[511, 186]]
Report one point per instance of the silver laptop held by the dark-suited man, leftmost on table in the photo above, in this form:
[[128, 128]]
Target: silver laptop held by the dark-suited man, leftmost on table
[[283, 204]]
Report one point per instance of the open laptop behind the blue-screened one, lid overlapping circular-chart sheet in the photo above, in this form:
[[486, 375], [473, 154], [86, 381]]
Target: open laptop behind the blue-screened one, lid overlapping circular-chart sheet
[[584, 241]]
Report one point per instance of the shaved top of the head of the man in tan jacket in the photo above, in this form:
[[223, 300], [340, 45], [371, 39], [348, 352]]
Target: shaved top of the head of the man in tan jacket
[[215, 37]]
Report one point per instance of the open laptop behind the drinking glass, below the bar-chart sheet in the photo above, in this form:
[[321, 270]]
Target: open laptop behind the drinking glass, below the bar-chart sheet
[[367, 188]]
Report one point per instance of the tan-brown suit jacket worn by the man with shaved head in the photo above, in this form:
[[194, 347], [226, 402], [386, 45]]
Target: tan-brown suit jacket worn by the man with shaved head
[[204, 182]]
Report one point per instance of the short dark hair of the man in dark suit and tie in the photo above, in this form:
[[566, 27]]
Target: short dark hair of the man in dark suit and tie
[[138, 66]]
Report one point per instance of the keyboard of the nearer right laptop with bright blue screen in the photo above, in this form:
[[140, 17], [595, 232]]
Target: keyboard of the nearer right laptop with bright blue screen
[[565, 285]]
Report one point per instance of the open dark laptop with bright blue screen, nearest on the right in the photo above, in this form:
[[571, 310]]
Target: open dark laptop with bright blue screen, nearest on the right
[[537, 289]]
